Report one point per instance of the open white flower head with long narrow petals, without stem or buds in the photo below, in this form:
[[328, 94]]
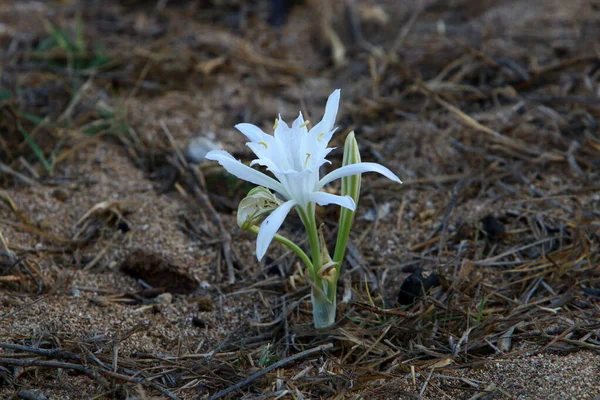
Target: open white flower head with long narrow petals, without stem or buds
[[294, 155]]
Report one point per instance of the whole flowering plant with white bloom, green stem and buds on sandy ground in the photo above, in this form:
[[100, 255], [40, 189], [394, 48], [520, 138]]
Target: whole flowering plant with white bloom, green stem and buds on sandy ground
[[294, 155]]
